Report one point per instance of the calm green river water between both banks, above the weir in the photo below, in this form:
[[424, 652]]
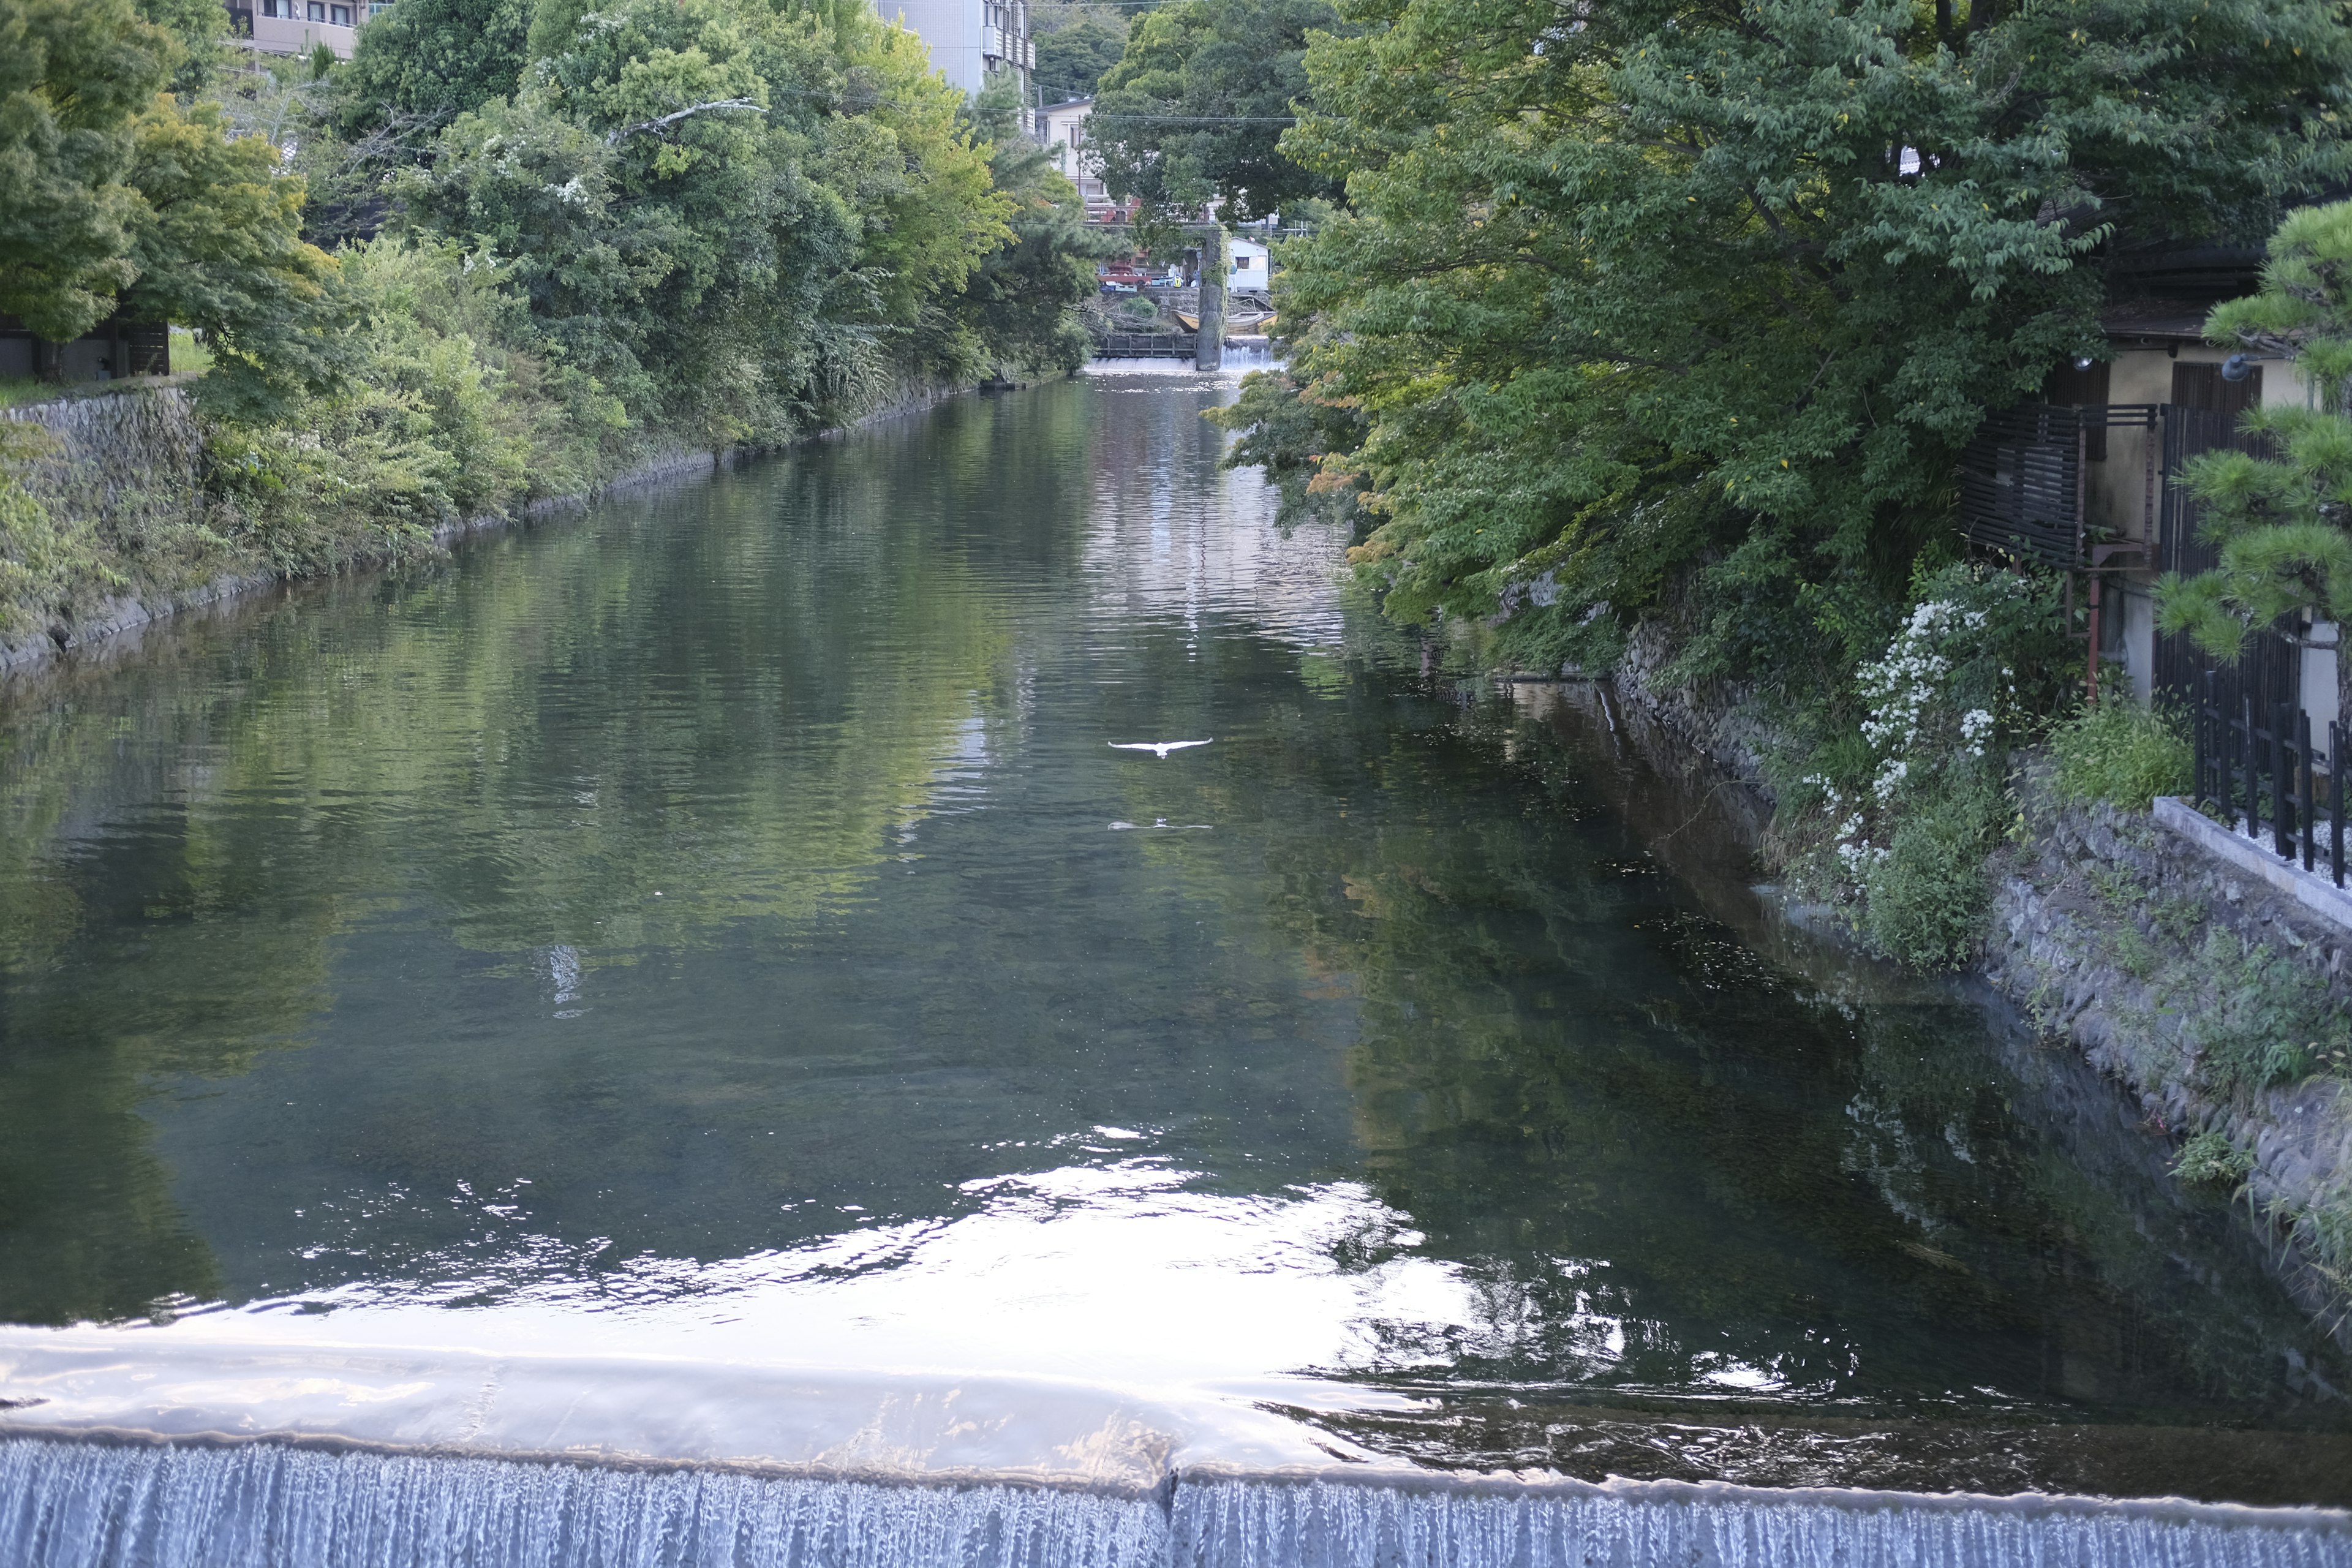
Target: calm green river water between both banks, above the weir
[[726, 925]]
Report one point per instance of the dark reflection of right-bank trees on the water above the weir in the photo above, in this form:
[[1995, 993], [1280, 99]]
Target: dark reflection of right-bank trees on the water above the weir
[[1669, 1165]]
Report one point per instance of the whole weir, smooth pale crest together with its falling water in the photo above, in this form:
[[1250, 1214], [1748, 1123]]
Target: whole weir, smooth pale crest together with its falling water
[[215, 1454]]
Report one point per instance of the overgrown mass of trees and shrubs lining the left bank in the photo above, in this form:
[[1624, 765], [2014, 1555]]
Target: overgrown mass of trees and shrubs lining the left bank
[[547, 243]]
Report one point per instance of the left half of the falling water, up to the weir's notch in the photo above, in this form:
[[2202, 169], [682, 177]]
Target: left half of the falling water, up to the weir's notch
[[265, 1506]]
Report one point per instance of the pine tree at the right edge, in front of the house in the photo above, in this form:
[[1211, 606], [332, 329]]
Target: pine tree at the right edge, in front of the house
[[2283, 523]]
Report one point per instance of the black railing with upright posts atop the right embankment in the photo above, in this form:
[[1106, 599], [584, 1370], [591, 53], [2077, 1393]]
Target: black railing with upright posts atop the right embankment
[[2257, 768]]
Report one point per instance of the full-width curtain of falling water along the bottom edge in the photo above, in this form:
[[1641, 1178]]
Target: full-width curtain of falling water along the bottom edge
[[269, 1506]]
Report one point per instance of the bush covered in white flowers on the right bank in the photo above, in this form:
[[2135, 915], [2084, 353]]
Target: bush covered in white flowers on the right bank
[[1906, 808]]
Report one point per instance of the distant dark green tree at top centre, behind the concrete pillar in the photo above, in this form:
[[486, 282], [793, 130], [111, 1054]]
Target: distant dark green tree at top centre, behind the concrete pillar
[[1198, 105]]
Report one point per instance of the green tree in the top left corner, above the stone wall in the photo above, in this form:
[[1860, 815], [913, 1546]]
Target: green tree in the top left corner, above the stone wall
[[74, 76]]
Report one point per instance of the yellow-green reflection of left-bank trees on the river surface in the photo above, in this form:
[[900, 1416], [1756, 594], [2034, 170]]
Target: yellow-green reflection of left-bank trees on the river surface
[[187, 843]]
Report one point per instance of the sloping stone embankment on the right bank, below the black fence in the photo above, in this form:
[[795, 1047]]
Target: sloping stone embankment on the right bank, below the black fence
[[2167, 967]]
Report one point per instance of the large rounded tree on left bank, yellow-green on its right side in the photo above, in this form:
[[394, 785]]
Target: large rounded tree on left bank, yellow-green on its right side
[[733, 217]]
